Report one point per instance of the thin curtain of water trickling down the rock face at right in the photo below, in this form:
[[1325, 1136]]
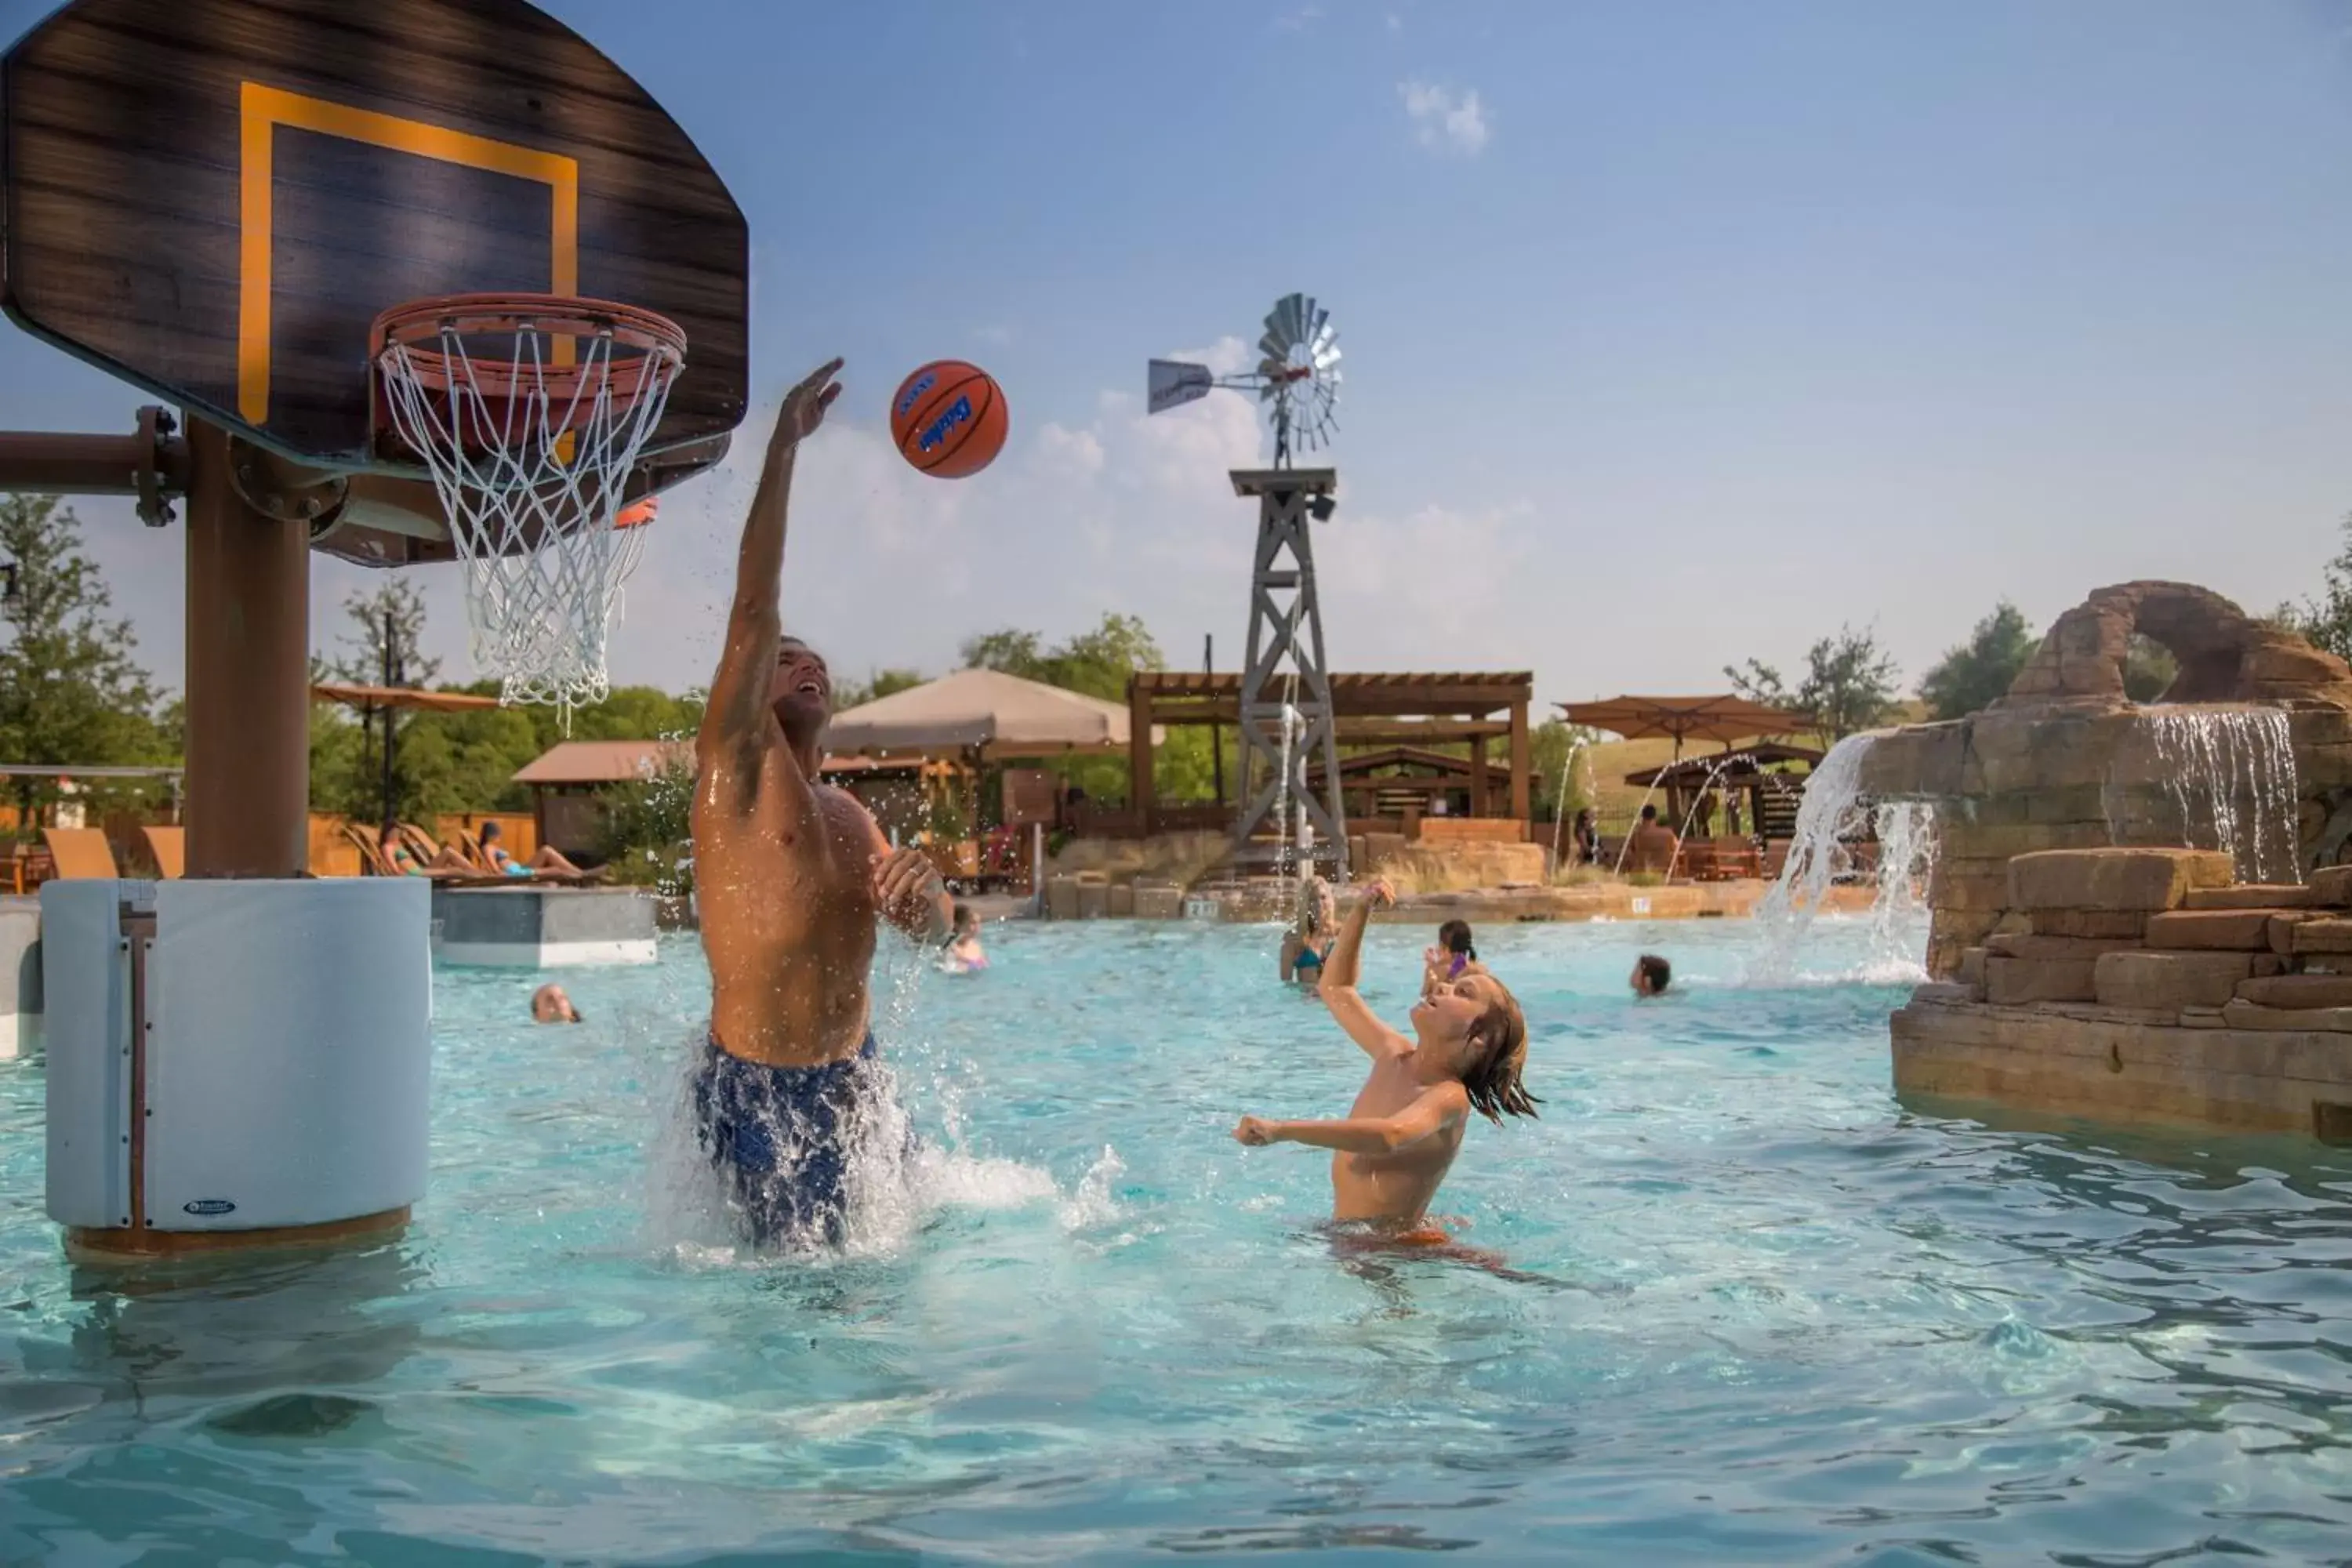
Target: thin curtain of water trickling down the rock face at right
[[2233, 777]]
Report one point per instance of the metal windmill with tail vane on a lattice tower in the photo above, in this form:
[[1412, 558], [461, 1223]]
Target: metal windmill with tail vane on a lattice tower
[[1285, 706]]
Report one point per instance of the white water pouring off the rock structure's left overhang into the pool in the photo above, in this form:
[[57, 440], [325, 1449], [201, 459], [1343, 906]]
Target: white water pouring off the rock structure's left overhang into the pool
[[1829, 822]]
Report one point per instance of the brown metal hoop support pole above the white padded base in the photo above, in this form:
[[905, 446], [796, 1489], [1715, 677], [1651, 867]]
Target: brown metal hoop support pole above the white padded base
[[248, 676]]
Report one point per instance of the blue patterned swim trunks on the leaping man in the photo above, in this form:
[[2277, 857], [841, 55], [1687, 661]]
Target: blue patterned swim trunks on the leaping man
[[782, 1137]]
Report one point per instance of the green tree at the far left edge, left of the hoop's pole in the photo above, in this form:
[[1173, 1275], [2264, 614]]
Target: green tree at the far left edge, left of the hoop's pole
[[72, 690]]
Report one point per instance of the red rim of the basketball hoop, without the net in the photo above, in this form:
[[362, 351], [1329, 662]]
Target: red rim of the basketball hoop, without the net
[[422, 326]]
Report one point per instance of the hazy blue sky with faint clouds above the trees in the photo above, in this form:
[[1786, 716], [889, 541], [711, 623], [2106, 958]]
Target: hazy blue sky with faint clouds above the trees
[[1676, 333]]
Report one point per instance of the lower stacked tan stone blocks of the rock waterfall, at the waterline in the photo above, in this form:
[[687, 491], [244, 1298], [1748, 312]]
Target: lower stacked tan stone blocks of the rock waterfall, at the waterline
[[2144, 986]]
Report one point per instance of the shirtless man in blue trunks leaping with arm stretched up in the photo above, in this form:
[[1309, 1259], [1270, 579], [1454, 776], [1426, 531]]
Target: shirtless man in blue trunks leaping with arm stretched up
[[791, 878]]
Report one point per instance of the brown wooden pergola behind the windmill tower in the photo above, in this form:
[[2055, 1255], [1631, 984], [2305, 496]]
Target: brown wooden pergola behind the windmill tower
[[1384, 711]]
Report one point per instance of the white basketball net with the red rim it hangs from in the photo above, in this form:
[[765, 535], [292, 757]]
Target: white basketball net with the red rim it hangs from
[[533, 481]]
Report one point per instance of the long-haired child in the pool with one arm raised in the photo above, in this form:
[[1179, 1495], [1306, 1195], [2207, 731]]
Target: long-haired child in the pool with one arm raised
[[1408, 1123]]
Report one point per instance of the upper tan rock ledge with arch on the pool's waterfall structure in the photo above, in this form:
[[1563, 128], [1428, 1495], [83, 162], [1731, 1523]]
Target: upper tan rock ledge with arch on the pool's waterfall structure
[[2069, 763]]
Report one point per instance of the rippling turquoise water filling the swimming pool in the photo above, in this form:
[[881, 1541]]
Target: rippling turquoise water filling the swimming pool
[[1779, 1315]]
